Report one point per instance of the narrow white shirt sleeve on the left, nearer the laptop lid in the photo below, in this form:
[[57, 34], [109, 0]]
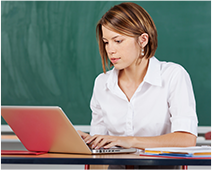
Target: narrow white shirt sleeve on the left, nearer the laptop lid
[[97, 122]]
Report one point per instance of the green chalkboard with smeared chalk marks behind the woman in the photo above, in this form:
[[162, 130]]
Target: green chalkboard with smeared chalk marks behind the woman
[[49, 54]]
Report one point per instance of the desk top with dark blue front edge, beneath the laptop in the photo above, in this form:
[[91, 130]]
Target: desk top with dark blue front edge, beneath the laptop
[[110, 159]]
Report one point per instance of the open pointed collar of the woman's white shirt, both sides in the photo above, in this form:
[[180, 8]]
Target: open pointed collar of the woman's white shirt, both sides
[[153, 75]]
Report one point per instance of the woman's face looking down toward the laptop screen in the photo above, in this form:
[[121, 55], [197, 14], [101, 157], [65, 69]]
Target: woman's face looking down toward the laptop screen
[[123, 51]]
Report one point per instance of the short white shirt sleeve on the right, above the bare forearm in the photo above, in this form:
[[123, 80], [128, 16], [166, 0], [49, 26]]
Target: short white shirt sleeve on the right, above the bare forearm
[[182, 105]]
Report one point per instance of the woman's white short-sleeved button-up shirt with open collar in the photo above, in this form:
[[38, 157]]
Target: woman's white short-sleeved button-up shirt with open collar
[[163, 103]]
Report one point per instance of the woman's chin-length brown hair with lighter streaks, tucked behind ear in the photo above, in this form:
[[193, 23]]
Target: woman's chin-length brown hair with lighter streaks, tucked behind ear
[[127, 19]]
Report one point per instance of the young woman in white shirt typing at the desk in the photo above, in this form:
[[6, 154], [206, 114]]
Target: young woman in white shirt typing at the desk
[[141, 102]]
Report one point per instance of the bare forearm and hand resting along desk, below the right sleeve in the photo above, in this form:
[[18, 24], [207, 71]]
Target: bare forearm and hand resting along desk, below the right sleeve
[[176, 139]]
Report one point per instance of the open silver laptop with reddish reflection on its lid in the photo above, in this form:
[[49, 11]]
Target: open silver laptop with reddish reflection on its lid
[[48, 129]]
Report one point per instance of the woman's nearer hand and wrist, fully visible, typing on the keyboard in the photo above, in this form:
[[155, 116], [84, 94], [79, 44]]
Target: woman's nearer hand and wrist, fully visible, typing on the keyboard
[[105, 141]]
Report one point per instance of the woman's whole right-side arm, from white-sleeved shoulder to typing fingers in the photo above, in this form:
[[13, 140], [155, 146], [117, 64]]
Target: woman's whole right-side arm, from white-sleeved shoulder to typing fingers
[[183, 118]]
